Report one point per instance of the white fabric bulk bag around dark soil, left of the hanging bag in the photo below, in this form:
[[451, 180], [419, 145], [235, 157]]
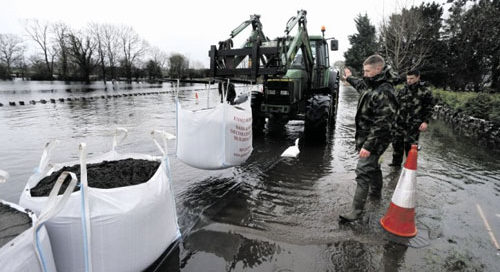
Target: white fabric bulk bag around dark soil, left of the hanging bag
[[125, 228]]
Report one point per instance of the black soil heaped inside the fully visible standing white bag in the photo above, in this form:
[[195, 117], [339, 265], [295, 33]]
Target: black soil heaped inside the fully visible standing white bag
[[104, 175]]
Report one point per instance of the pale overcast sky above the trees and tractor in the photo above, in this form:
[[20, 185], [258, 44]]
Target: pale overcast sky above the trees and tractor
[[190, 27]]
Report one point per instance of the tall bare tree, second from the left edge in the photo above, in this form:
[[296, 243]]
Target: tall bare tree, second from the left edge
[[39, 32]]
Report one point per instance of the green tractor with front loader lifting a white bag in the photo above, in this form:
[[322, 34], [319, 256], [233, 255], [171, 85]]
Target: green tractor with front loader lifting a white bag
[[298, 82]]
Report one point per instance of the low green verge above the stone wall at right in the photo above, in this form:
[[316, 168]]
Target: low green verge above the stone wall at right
[[480, 105]]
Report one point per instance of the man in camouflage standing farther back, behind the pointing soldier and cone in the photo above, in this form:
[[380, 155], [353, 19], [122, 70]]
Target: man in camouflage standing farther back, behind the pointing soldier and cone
[[415, 109]]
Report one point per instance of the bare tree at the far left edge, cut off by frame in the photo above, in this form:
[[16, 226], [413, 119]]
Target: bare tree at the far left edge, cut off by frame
[[11, 50]]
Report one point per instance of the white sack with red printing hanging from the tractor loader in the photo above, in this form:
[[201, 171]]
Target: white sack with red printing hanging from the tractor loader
[[215, 138]]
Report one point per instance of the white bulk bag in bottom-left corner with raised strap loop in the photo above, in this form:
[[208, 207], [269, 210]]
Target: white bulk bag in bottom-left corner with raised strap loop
[[31, 251]]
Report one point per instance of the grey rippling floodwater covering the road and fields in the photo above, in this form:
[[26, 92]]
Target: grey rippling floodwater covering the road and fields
[[272, 213]]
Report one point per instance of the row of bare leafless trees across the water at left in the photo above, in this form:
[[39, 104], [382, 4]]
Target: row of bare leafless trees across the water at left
[[98, 52]]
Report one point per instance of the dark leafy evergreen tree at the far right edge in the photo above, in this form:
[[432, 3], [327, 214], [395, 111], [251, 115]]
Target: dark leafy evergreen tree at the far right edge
[[471, 36]]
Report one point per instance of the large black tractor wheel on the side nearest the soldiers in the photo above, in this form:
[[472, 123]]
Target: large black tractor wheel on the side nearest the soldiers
[[318, 116]]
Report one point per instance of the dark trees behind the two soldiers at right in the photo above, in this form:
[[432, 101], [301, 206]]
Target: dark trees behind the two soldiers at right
[[459, 51]]
